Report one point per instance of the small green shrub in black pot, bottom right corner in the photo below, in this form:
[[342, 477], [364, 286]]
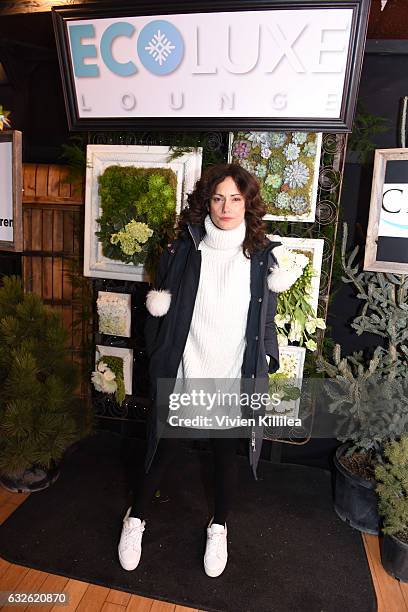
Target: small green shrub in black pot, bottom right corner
[[392, 489]]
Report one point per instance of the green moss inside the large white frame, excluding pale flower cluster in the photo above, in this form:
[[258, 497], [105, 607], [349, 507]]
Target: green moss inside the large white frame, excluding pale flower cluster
[[146, 195]]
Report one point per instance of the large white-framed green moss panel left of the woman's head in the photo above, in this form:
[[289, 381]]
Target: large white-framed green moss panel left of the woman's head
[[133, 196]]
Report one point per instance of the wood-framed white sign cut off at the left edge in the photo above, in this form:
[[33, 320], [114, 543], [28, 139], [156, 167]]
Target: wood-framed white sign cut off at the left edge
[[11, 223]]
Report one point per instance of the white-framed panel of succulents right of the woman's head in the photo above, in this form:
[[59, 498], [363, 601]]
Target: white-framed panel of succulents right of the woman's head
[[287, 167]]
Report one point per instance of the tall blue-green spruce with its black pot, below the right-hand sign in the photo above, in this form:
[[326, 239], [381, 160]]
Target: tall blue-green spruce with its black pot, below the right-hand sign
[[366, 392]]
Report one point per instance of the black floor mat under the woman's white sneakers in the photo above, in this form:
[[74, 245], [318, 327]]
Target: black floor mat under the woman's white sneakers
[[288, 550]]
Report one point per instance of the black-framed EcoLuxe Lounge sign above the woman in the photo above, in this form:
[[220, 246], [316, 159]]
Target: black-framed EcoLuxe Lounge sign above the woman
[[212, 65]]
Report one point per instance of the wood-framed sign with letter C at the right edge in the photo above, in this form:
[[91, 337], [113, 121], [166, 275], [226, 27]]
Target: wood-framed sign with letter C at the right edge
[[387, 234]]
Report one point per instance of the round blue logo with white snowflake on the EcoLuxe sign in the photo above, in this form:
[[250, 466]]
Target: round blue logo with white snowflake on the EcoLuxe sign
[[160, 47]]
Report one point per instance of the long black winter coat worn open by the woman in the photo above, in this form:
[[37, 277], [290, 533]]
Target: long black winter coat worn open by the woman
[[170, 308]]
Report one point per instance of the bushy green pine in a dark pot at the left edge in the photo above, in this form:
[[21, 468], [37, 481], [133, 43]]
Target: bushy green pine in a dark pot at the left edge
[[40, 416]]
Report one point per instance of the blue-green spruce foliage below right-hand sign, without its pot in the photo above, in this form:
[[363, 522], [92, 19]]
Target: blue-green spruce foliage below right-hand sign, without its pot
[[368, 390]]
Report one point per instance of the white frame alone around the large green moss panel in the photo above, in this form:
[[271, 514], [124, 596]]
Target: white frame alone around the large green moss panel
[[187, 168]]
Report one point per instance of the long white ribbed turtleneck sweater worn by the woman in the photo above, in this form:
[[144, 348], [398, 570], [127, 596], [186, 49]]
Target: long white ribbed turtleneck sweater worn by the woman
[[216, 341]]
